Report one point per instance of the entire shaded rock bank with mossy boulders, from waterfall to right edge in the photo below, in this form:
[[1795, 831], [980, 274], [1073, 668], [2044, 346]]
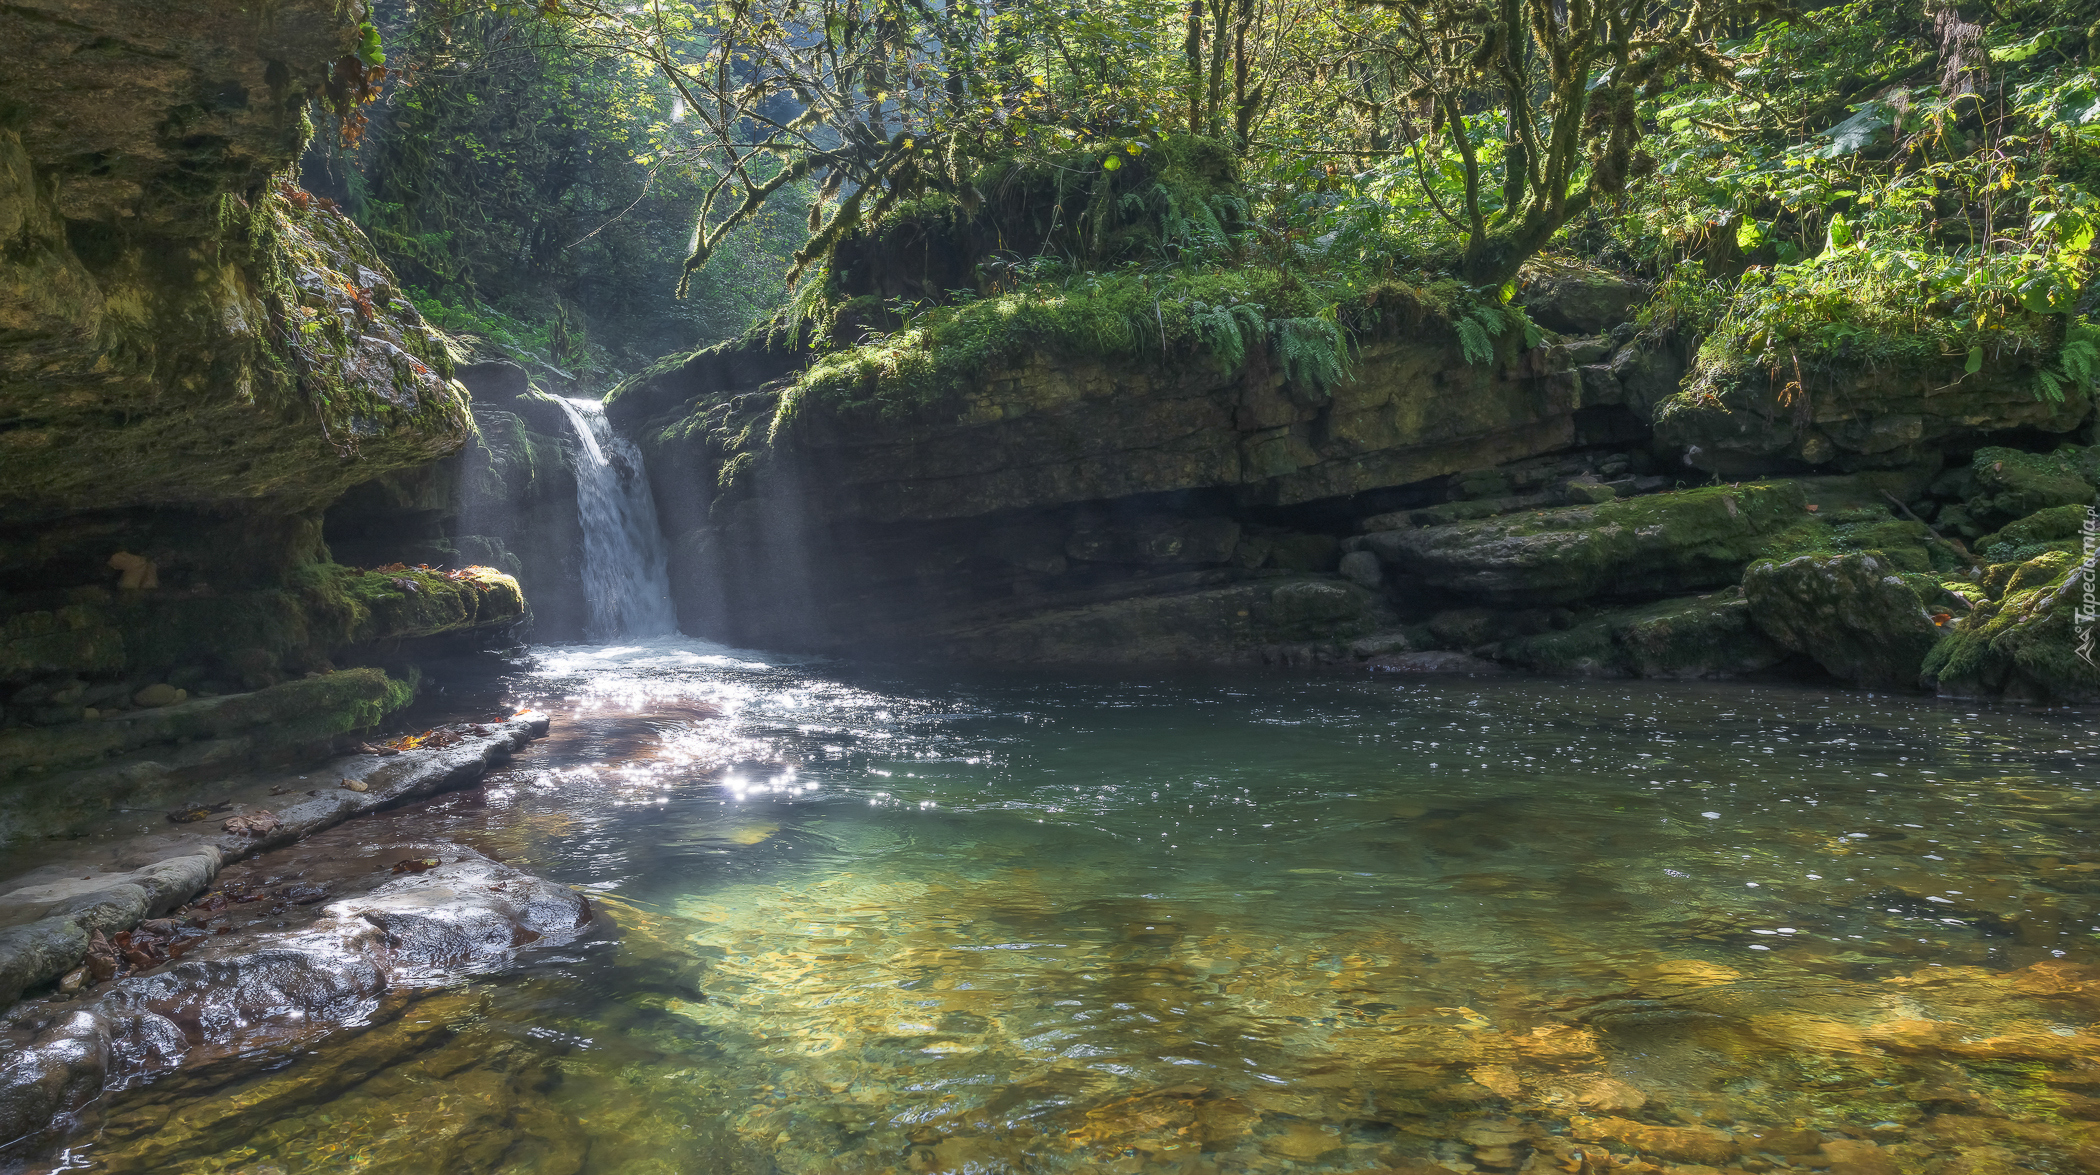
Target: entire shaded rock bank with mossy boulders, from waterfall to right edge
[[1425, 515]]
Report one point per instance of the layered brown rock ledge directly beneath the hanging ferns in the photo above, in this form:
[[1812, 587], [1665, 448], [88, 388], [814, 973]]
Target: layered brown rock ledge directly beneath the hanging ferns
[[1053, 431]]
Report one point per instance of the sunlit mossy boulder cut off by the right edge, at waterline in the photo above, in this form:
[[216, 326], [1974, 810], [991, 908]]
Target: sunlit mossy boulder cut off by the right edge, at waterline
[[2036, 641]]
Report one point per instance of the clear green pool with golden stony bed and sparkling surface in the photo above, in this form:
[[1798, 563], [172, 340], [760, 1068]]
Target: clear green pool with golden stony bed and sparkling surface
[[1232, 924]]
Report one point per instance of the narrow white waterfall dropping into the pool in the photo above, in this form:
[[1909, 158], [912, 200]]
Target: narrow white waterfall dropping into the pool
[[627, 582]]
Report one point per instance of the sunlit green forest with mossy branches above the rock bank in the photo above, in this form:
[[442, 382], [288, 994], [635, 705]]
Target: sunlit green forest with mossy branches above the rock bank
[[589, 188]]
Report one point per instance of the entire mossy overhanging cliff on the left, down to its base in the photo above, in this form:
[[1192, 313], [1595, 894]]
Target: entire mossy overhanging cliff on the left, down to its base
[[196, 360]]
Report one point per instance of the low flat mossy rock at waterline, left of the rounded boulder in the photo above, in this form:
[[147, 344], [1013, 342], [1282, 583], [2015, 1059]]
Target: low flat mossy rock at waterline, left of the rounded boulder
[[1704, 637]]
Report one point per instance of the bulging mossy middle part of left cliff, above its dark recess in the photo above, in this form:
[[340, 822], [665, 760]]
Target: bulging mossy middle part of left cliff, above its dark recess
[[268, 364]]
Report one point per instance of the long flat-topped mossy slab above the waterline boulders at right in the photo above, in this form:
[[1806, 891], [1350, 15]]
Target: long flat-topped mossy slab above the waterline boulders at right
[[1641, 547]]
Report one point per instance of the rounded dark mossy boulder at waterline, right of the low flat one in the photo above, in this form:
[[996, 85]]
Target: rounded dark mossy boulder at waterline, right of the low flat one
[[1853, 614]]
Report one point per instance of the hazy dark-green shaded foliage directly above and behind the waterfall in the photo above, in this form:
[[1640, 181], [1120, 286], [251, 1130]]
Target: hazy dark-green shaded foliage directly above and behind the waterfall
[[516, 179]]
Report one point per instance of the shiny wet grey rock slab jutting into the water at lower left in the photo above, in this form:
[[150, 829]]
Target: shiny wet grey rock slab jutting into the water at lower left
[[234, 996]]
